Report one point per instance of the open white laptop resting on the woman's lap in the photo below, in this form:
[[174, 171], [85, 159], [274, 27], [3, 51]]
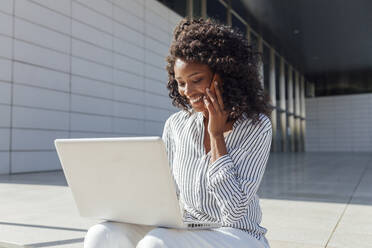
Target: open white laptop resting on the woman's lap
[[123, 179]]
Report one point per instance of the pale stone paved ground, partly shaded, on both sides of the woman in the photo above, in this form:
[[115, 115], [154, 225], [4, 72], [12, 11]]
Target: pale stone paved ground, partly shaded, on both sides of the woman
[[309, 200]]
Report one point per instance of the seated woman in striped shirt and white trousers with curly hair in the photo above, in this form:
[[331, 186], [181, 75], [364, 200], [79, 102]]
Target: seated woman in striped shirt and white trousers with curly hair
[[218, 145]]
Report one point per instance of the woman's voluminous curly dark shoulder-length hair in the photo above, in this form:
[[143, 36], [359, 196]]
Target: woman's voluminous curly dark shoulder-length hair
[[226, 52]]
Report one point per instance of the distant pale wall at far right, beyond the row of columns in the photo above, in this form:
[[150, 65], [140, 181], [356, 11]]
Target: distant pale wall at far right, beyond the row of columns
[[339, 123]]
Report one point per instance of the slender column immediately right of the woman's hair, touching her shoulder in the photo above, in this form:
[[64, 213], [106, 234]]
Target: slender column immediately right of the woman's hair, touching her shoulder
[[273, 99]]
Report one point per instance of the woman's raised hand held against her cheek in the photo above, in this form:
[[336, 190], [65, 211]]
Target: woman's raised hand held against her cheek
[[217, 116]]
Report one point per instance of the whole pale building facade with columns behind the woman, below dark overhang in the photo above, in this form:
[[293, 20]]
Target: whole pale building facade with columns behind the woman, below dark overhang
[[96, 68]]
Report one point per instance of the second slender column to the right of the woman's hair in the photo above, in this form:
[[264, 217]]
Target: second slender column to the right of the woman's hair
[[283, 114]]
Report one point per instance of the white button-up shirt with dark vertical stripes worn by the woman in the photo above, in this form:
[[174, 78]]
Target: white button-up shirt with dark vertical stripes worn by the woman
[[224, 191]]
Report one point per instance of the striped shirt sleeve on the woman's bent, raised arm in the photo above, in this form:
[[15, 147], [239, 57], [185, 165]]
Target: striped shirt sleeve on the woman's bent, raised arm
[[234, 178]]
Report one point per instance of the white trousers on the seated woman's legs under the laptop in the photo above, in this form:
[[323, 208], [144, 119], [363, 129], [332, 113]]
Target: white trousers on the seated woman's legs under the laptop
[[122, 235]]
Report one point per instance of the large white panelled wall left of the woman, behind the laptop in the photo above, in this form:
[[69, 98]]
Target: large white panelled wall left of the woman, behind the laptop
[[79, 68]]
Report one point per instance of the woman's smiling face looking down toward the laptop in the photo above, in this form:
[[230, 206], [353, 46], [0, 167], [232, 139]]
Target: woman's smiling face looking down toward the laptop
[[193, 79]]
